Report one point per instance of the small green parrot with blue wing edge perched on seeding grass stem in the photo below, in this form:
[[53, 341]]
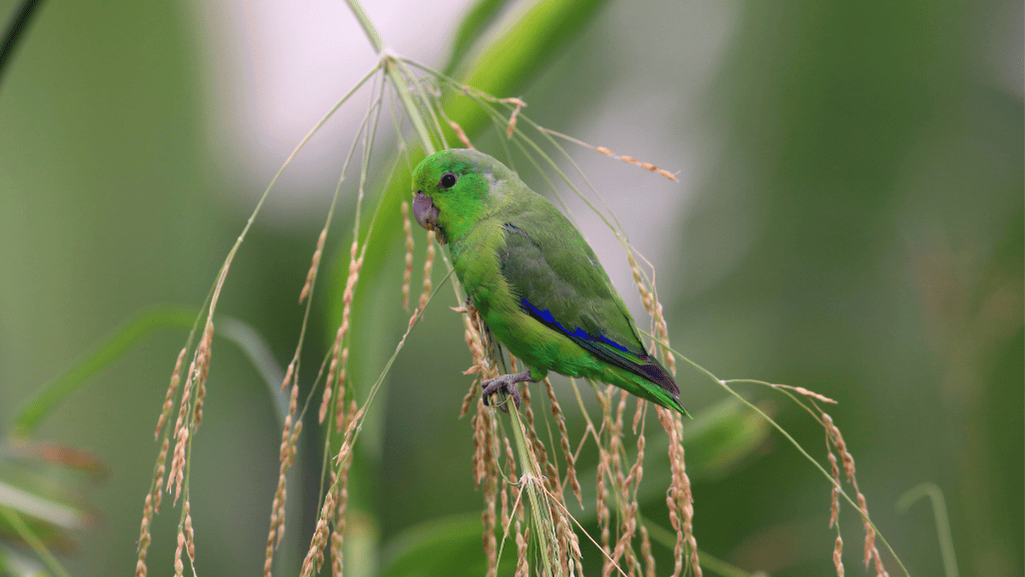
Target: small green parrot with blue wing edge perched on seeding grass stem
[[534, 279]]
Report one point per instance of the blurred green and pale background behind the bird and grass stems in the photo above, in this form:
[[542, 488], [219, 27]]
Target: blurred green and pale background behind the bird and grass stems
[[850, 220]]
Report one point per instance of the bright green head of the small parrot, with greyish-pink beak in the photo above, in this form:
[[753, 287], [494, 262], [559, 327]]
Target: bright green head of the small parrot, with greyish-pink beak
[[454, 189]]
